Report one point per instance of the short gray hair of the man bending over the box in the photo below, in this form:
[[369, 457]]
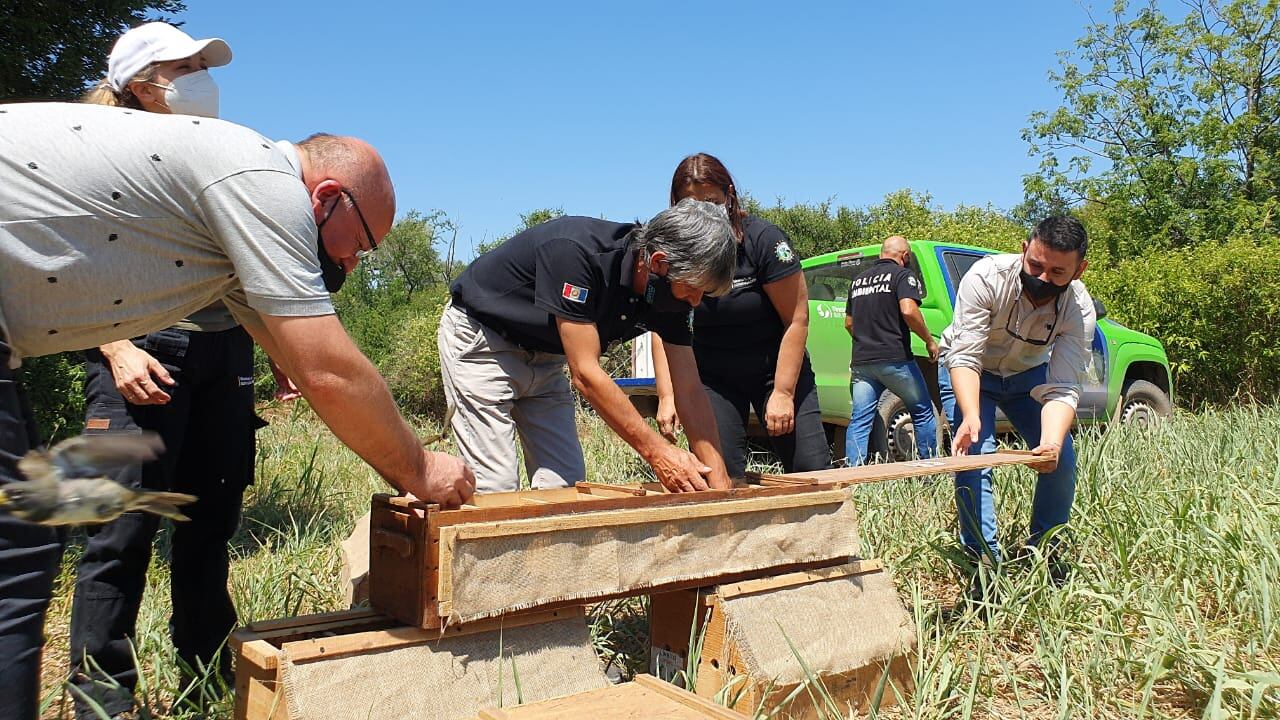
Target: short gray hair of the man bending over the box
[[700, 243]]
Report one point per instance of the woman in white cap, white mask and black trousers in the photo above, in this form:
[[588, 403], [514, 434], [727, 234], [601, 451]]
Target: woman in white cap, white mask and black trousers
[[191, 384]]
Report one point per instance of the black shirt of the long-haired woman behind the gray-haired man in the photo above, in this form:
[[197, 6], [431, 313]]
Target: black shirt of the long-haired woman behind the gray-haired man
[[744, 318]]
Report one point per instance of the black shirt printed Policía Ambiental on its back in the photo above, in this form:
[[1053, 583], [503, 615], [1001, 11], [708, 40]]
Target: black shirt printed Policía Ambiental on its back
[[881, 334]]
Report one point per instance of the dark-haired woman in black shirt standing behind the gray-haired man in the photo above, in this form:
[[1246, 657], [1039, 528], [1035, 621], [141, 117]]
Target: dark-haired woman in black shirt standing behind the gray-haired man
[[751, 344]]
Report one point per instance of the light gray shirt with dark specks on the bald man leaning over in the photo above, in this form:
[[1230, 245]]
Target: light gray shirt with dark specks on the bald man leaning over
[[116, 224]]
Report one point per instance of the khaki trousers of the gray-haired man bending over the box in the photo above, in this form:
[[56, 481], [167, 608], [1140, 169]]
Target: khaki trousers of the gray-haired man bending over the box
[[499, 390]]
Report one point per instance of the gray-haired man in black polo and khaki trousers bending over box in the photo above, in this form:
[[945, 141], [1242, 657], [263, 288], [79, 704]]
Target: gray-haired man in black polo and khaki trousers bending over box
[[565, 291]]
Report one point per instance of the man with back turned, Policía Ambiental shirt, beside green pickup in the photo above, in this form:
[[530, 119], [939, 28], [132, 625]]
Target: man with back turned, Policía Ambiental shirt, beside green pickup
[[883, 311]]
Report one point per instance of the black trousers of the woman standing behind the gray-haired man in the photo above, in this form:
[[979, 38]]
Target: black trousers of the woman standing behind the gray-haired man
[[739, 382]]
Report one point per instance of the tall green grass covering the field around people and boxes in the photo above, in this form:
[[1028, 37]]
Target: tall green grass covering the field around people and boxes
[[1173, 609]]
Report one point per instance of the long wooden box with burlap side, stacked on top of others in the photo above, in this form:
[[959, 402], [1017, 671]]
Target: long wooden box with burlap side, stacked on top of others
[[508, 553]]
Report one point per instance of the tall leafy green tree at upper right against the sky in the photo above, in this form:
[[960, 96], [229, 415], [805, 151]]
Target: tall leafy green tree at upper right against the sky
[[1169, 129]]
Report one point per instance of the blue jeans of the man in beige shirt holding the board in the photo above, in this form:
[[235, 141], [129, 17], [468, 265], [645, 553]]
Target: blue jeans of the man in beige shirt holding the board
[[976, 505]]
